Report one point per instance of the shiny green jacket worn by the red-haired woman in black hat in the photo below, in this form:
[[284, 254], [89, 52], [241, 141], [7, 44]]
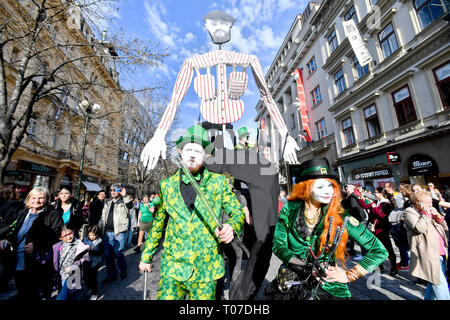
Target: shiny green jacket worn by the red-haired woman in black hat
[[289, 241]]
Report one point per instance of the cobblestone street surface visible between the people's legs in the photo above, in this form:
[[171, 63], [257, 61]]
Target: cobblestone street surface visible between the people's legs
[[375, 286]]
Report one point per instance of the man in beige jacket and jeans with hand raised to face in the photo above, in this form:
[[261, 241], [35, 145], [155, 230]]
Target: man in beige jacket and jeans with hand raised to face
[[114, 226]]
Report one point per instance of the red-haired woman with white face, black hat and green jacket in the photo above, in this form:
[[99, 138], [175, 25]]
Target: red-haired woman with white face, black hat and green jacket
[[303, 229]]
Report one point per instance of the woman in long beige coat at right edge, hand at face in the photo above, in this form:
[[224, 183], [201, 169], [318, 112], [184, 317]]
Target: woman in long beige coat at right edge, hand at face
[[428, 239]]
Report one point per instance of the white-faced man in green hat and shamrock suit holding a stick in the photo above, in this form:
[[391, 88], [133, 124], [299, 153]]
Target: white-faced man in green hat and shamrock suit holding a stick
[[191, 262]]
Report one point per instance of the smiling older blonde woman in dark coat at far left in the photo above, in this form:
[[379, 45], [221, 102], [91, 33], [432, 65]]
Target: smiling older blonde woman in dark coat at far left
[[34, 231]]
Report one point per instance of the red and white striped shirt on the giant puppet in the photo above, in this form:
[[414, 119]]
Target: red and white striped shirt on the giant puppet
[[221, 105]]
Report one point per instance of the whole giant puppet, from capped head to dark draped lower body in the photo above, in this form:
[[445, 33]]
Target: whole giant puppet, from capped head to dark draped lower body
[[221, 105]]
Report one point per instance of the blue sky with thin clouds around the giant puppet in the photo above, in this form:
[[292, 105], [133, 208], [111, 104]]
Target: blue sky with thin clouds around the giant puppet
[[178, 25]]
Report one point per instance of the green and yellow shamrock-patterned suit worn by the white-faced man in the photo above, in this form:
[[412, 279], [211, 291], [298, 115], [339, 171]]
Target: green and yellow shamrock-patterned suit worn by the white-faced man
[[191, 261]]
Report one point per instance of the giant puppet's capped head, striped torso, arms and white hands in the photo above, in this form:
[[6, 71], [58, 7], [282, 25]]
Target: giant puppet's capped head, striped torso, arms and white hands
[[220, 98]]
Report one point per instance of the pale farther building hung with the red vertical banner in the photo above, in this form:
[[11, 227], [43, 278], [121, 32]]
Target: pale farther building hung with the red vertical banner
[[301, 49]]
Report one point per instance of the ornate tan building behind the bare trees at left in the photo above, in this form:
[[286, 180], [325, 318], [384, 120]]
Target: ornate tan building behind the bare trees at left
[[50, 152]]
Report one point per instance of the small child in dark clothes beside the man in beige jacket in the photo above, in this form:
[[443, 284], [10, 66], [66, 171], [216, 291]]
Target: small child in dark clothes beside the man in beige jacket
[[96, 249]]
